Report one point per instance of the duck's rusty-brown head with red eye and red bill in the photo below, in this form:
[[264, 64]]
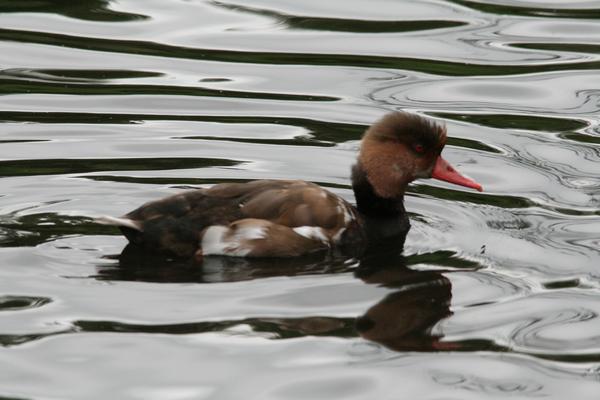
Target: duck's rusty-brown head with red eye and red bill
[[402, 147]]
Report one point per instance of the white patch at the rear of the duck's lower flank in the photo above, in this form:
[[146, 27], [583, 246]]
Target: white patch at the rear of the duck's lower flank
[[219, 240]]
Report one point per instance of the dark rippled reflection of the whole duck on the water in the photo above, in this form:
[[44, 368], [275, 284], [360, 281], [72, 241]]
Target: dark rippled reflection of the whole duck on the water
[[404, 320]]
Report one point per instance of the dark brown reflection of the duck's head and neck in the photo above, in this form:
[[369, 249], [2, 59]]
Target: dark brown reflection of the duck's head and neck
[[404, 320]]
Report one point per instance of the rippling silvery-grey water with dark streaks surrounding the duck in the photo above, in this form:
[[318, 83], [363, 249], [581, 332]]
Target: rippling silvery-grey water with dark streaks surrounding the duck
[[105, 105]]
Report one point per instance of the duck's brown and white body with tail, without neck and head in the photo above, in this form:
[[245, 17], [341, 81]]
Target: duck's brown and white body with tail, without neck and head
[[258, 218]]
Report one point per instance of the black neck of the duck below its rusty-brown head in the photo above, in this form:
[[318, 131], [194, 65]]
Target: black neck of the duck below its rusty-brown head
[[369, 203]]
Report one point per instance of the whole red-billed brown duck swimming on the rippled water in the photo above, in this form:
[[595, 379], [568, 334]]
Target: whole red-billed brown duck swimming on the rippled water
[[290, 218]]
